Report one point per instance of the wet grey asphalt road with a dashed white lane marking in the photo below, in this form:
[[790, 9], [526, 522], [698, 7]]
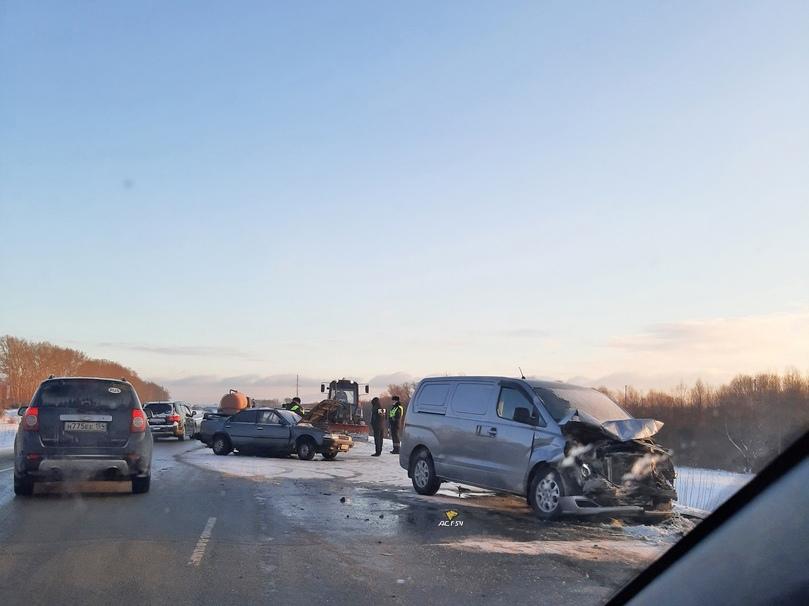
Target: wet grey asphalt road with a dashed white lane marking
[[202, 537]]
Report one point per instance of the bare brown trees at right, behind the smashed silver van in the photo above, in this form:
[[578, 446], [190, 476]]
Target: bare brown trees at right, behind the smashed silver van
[[738, 426]]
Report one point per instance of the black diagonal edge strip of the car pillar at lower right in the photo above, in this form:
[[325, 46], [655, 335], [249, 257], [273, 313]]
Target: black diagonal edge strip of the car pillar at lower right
[[788, 460]]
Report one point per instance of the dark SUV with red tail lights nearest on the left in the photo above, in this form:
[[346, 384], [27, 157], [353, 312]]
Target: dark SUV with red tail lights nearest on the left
[[82, 428]]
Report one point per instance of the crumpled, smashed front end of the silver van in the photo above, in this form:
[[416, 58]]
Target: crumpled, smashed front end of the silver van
[[613, 467]]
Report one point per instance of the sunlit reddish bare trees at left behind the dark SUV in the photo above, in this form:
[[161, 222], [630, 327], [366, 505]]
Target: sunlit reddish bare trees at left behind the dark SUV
[[25, 364]]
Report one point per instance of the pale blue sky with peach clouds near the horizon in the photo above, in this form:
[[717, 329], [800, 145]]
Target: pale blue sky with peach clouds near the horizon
[[229, 194]]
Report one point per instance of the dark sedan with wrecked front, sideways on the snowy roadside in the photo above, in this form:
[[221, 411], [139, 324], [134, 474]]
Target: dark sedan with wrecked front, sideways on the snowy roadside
[[270, 431]]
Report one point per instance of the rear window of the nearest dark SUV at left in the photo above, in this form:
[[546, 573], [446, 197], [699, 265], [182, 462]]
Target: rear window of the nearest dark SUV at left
[[85, 393]]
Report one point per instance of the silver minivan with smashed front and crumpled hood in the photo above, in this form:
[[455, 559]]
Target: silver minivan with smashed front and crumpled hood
[[568, 449]]
